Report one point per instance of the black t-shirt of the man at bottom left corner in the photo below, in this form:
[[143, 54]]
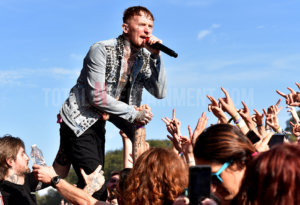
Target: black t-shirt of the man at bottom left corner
[[15, 194]]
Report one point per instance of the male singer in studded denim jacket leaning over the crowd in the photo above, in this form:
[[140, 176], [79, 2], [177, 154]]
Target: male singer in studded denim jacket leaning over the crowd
[[111, 82]]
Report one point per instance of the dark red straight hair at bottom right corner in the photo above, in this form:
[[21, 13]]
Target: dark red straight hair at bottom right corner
[[273, 175]]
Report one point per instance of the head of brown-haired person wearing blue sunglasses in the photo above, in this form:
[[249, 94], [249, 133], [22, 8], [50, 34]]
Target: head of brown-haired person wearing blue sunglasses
[[227, 151]]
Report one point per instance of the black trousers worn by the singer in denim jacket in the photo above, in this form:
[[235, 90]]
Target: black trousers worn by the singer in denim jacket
[[88, 150]]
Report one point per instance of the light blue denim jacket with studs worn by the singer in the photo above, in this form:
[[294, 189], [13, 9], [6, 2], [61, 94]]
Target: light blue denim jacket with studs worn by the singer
[[95, 90]]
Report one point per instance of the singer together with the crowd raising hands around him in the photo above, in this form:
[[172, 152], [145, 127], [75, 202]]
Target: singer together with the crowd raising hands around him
[[245, 167]]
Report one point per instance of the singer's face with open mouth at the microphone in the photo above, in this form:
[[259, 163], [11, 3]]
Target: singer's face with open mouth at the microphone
[[138, 28]]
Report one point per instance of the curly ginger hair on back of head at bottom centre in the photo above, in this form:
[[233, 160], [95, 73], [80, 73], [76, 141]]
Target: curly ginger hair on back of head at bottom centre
[[157, 177]]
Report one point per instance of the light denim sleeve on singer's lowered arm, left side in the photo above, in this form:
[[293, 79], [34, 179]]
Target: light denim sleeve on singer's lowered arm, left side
[[95, 63]]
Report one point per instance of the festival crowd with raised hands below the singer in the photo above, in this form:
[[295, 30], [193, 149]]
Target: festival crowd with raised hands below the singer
[[243, 171]]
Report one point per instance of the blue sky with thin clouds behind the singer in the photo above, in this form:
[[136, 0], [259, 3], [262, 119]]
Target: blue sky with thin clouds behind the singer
[[251, 48]]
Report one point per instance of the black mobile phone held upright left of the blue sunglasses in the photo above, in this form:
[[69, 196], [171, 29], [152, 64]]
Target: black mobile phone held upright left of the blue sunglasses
[[199, 183]]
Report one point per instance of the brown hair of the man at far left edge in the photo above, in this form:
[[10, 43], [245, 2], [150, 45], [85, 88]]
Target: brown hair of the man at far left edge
[[9, 148]]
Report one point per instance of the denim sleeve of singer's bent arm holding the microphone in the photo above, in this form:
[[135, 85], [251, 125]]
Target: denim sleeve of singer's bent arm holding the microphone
[[157, 83]]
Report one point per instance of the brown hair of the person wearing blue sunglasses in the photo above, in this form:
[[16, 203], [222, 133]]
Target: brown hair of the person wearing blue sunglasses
[[224, 143]]
